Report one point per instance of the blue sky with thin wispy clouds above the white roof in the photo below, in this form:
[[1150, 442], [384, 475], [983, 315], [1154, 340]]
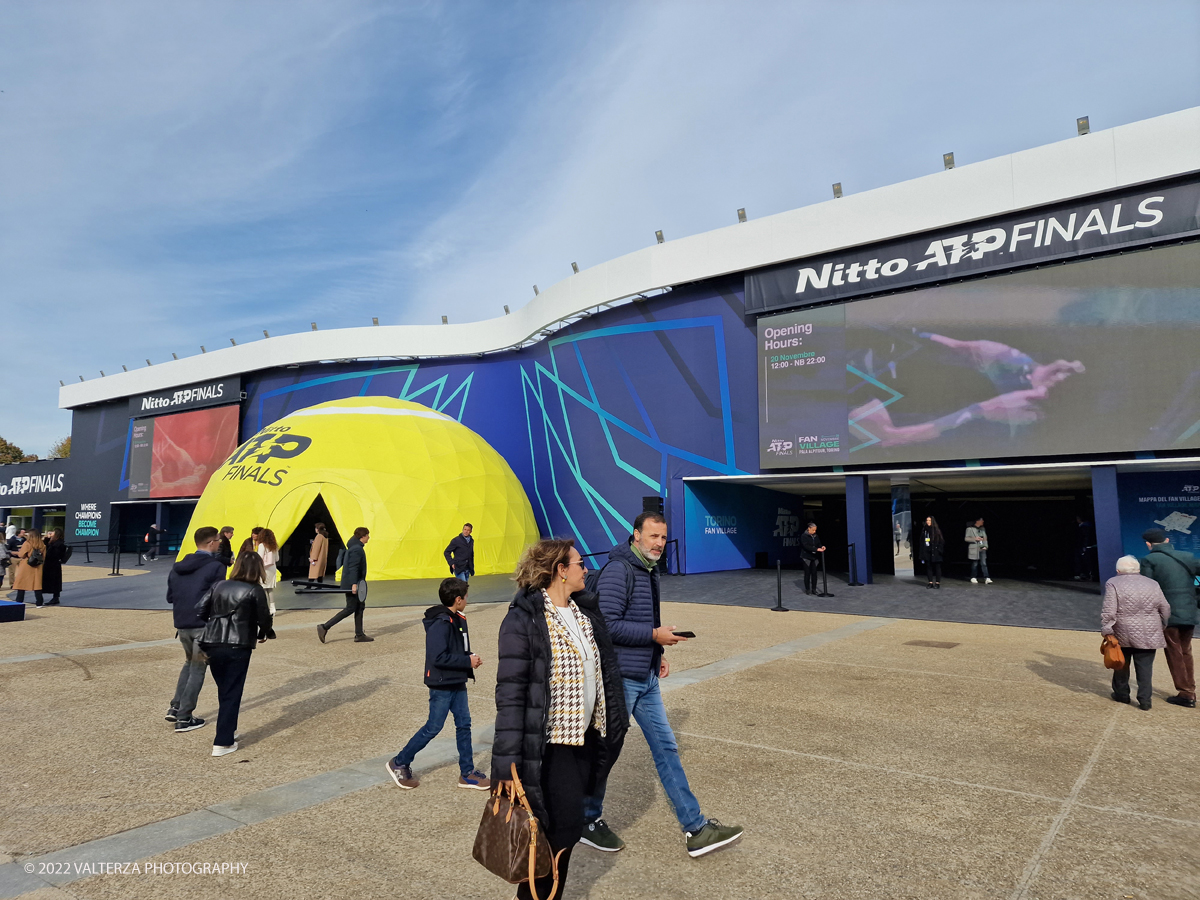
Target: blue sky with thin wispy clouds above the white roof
[[179, 175]]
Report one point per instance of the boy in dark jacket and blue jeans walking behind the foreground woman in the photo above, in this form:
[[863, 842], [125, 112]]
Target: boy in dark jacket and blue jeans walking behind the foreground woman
[[448, 665]]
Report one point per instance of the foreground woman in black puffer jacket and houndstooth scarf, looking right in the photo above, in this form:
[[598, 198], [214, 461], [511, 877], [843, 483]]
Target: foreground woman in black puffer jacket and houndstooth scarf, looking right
[[555, 650]]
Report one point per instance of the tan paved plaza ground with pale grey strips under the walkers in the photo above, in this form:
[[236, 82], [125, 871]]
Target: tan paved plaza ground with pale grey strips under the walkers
[[868, 757]]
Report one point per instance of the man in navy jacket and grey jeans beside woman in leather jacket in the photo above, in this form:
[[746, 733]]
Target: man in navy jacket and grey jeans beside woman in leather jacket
[[188, 584]]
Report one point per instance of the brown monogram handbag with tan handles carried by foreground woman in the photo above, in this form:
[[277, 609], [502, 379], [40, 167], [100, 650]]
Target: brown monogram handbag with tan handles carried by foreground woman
[[511, 843]]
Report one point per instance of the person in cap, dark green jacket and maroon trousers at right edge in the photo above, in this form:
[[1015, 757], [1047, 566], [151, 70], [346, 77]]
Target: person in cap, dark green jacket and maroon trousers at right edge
[[1175, 573]]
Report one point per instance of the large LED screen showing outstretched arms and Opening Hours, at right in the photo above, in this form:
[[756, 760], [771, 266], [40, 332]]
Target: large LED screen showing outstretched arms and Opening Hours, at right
[[1095, 357]]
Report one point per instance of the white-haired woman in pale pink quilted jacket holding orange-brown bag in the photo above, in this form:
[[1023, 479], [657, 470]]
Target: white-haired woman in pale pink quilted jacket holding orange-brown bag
[[1136, 611]]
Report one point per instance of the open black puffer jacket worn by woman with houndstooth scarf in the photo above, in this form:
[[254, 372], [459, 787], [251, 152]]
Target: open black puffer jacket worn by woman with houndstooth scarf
[[523, 694]]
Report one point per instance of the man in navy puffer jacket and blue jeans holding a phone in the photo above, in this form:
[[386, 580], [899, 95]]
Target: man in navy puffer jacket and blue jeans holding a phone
[[629, 601]]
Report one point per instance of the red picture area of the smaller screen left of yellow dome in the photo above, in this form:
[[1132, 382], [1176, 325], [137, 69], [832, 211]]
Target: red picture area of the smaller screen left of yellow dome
[[189, 448]]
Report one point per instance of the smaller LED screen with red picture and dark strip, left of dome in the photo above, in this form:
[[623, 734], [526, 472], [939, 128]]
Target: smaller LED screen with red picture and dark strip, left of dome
[[175, 455]]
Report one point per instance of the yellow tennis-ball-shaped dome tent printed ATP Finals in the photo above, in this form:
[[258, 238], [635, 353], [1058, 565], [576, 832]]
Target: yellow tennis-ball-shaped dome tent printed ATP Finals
[[409, 473]]
